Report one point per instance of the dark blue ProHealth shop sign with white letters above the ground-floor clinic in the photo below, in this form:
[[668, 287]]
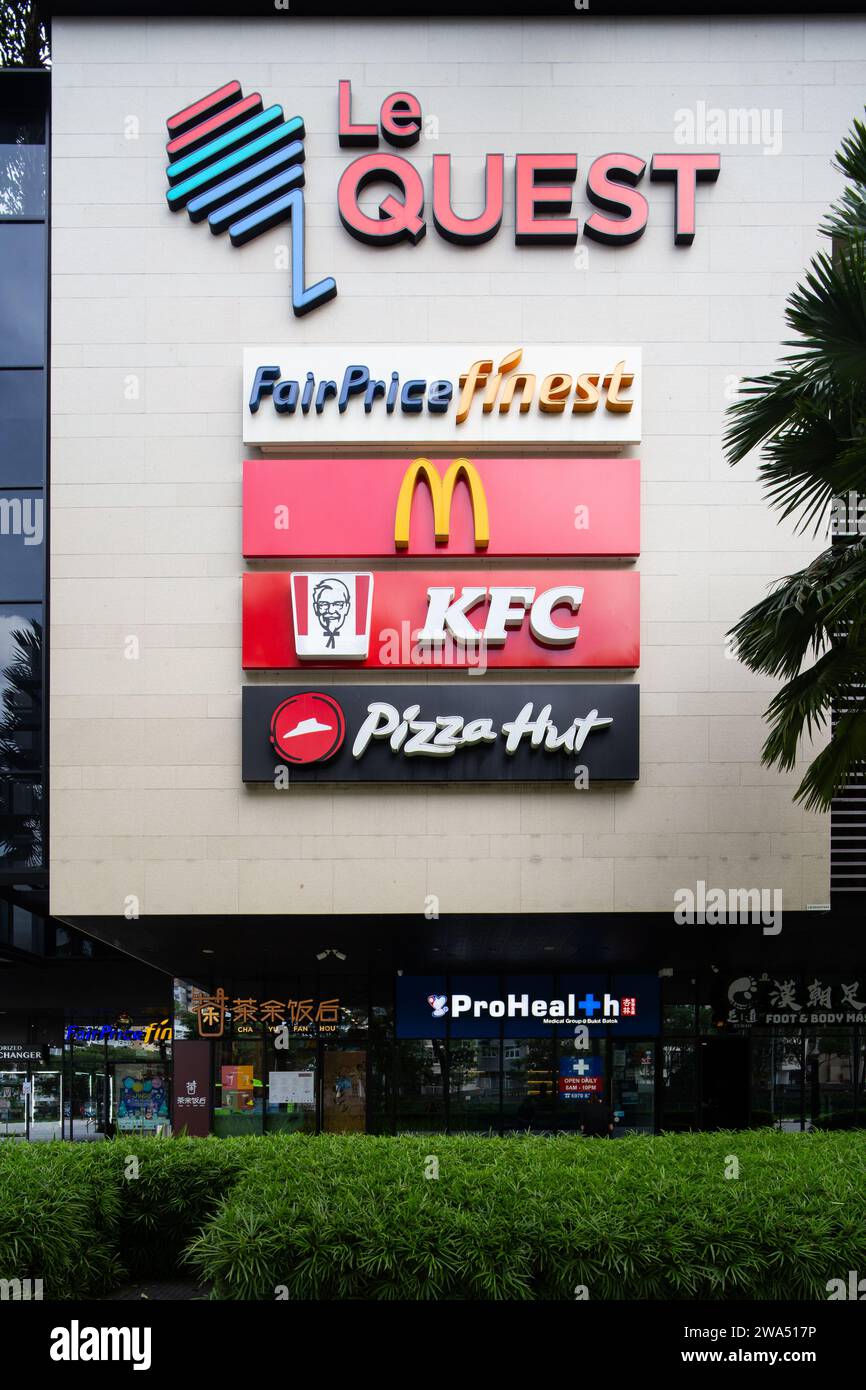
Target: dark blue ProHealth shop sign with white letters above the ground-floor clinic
[[526, 1007]]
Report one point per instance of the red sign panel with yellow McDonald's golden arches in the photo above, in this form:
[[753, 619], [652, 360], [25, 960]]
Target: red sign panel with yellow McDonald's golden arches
[[507, 508]]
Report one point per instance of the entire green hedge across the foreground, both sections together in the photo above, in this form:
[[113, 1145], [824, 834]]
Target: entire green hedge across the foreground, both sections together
[[441, 1218]]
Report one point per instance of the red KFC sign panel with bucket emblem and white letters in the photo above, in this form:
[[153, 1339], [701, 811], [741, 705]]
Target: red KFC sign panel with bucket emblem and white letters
[[443, 619]]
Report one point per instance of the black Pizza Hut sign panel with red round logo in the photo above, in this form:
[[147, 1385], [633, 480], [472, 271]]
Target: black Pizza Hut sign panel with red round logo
[[477, 732]]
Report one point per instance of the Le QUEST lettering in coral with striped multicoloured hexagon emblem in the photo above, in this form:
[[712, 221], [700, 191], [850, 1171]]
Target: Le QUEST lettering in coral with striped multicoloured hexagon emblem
[[241, 166]]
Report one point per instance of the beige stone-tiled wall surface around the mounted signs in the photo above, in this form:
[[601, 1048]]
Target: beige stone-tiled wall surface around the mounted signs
[[149, 320]]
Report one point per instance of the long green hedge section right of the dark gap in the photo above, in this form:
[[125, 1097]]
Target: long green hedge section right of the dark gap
[[347, 1217]]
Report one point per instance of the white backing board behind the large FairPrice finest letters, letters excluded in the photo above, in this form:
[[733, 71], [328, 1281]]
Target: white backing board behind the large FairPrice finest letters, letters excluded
[[357, 430]]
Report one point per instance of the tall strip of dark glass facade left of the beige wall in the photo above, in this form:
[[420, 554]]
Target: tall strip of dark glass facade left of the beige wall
[[24, 354]]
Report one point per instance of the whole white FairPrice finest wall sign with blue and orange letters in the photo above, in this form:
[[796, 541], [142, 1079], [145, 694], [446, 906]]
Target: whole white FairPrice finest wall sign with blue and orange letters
[[476, 395]]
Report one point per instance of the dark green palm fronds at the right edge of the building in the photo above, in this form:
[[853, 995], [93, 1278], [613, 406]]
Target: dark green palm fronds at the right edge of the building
[[810, 419]]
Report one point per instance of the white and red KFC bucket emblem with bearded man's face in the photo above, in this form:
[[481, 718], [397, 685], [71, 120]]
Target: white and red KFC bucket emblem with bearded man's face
[[332, 615]]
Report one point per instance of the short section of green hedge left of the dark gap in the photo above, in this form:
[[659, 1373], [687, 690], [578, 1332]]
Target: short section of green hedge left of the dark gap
[[59, 1218]]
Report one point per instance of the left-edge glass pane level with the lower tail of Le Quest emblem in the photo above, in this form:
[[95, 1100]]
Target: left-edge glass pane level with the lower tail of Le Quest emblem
[[23, 284]]
